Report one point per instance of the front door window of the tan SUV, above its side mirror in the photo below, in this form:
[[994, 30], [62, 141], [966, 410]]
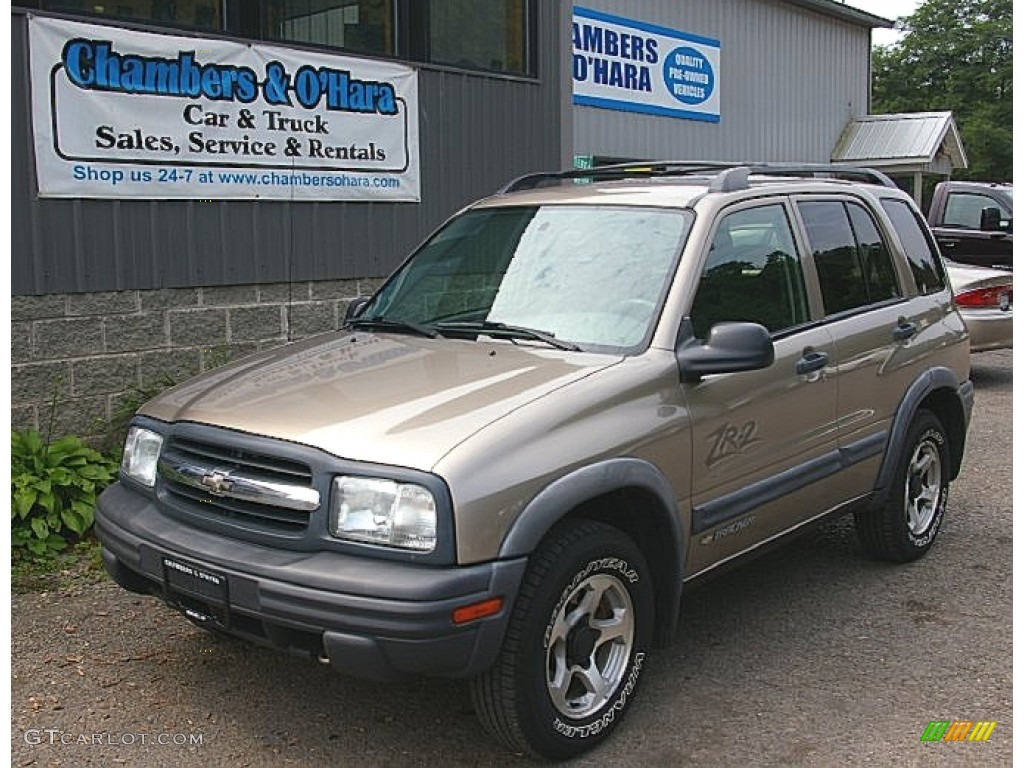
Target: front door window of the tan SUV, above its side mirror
[[752, 274]]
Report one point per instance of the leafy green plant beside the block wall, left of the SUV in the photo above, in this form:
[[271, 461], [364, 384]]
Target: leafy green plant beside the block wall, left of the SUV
[[54, 491]]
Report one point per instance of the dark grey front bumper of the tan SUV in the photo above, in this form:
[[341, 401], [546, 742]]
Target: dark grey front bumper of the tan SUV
[[373, 619]]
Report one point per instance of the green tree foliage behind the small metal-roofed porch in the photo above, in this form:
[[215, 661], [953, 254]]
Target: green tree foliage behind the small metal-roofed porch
[[956, 55]]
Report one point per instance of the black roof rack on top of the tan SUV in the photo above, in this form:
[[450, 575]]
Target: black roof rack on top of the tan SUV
[[730, 177]]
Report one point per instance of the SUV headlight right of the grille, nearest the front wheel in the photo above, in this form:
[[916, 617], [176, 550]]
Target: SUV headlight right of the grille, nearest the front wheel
[[385, 513]]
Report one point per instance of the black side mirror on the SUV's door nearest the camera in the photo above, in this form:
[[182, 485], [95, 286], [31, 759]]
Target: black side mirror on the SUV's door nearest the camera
[[731, 348]]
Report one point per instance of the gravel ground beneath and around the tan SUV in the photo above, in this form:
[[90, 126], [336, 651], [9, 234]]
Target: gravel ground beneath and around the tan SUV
[[813, 656]]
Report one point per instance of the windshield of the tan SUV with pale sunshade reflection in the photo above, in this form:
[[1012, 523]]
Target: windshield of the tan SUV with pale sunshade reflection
[[585, 276]]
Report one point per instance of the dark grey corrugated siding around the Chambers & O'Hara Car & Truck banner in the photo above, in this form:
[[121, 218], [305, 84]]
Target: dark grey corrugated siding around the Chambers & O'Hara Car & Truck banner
[[477, 133]]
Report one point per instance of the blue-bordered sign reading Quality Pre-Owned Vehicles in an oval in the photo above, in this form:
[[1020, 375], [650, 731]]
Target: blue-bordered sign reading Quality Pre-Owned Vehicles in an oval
[[621, 64]]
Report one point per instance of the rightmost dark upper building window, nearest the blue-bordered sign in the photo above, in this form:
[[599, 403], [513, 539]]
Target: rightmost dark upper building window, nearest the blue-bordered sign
[[480, 34]]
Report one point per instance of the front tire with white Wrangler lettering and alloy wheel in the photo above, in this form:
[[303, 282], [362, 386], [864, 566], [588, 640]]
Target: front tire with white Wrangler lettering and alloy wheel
[[576, 646]]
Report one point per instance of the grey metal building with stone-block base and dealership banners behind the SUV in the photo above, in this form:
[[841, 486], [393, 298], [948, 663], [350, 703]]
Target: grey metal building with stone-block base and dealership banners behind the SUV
[[119, 285]]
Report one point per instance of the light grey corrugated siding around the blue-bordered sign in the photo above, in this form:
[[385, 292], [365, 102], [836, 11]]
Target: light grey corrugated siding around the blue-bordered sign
[[791, 80]]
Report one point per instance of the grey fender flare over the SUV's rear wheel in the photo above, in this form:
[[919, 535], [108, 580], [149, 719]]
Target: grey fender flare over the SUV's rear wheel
[[932, 380]]
